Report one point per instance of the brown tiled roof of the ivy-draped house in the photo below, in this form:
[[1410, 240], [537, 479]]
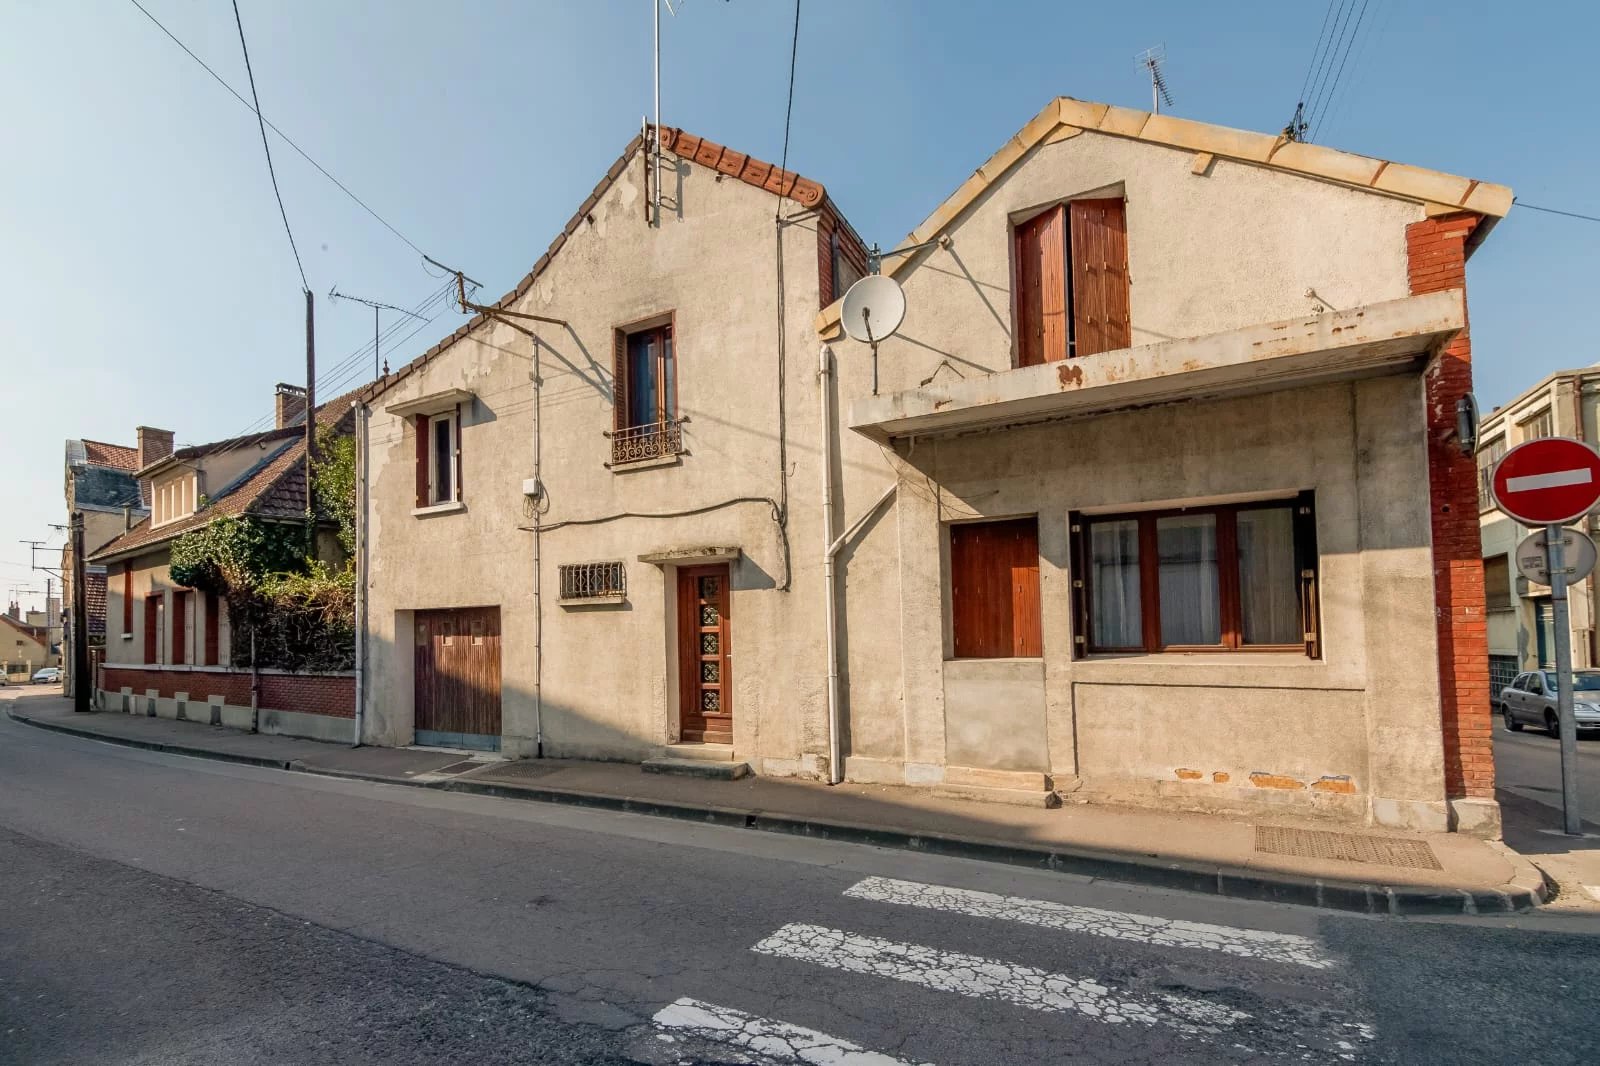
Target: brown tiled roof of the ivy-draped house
[[271, 489]]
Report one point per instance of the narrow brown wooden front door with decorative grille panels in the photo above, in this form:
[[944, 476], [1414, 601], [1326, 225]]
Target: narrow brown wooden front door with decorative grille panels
[[705, 679]]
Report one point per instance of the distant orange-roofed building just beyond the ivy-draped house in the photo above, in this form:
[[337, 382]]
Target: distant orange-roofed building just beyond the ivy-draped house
[[100, 486]]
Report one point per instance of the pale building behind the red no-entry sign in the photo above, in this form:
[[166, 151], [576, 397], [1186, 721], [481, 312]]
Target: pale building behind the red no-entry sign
[[1522, 630]]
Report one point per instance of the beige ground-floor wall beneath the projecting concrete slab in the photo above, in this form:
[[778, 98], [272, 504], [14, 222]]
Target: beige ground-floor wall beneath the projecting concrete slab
[[1354, 734]]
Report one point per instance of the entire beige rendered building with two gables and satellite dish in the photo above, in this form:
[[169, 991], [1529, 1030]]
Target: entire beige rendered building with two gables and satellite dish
[[1135, 511]]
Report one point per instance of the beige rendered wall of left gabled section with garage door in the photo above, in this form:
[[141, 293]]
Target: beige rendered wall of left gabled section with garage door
[[609, 671]]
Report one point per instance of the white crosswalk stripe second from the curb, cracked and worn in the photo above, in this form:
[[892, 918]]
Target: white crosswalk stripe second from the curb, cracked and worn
[[994, 980]]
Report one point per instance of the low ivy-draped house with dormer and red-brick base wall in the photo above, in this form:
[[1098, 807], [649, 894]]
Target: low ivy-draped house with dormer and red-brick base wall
[[170, 651]]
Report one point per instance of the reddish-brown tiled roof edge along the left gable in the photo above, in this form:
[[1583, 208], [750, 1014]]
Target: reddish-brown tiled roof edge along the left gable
[[748, 169]]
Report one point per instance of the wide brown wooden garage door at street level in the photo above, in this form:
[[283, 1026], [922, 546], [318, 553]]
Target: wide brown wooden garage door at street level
[[458, 689]]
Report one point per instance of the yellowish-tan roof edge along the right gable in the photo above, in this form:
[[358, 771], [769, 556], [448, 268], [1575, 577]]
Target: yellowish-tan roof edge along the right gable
[[1066, 118]]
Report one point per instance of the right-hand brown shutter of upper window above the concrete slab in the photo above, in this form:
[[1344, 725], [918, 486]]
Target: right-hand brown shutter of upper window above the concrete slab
[[1100, 278]]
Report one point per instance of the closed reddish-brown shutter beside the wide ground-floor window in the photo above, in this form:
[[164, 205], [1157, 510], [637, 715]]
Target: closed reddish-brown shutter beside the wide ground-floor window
[[994, 590]]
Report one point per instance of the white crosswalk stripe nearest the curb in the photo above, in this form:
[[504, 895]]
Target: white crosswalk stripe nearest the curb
[[1114, 924]]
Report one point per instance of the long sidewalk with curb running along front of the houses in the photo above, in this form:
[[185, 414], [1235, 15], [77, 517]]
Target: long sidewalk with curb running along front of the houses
[[1308, 864]]
